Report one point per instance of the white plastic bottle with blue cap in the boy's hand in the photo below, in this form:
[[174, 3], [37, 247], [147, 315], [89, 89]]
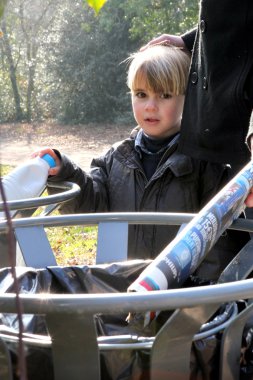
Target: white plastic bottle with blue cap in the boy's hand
[[27, 180]]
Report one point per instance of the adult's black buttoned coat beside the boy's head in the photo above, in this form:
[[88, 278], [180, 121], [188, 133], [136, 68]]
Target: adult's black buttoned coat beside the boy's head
[[219, 95]]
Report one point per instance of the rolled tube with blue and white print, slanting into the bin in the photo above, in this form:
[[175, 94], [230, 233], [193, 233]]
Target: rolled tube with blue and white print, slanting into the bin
[[183, 255]]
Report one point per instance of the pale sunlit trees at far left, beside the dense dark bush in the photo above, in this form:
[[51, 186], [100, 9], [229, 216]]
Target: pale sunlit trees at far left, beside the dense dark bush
[[25, 29]]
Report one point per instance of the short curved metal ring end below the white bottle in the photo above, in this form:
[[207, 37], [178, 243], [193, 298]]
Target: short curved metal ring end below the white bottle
[[70, 190]]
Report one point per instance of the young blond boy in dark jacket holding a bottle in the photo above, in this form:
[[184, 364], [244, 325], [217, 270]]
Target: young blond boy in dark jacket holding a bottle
[[146, 172]]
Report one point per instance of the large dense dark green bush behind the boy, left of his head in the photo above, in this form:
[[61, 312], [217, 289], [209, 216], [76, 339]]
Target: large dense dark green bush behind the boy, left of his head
[[91, 84]]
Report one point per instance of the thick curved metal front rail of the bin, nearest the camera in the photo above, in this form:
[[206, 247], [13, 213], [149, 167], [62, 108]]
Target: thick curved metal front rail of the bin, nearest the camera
[[125, 302]]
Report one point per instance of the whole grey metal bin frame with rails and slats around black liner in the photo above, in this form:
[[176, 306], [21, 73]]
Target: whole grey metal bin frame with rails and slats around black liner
[[170, 349]]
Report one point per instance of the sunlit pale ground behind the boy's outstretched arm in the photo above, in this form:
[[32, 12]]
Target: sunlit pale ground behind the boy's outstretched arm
[[80, 142]]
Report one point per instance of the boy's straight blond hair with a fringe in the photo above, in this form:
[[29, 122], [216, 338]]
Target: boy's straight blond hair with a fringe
[[163, 68]]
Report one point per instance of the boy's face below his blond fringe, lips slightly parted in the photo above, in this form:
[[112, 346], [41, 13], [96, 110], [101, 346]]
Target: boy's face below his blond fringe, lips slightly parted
[[159, 115]]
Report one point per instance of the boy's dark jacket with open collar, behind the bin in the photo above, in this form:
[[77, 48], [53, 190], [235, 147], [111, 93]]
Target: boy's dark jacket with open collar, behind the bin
[[116, 182]]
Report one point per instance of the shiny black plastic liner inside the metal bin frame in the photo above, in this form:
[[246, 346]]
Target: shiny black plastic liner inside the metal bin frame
[[115, 364]]
